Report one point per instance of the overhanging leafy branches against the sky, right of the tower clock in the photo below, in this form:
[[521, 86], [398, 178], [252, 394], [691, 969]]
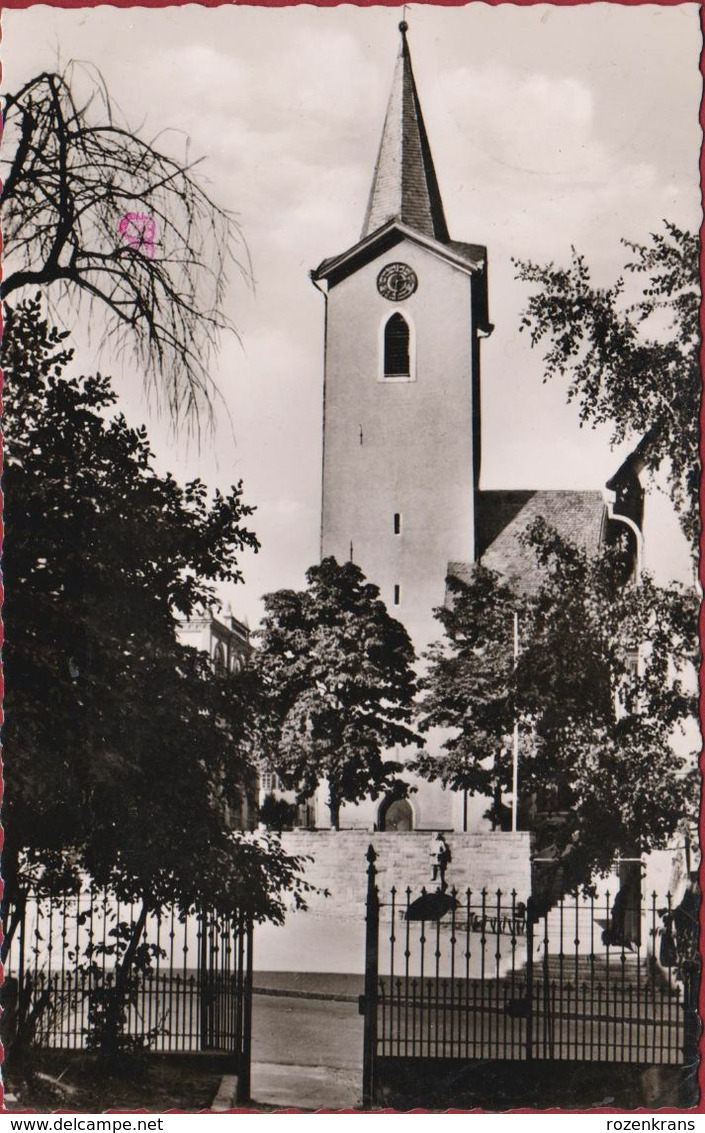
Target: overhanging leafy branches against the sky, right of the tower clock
[[632, 361]]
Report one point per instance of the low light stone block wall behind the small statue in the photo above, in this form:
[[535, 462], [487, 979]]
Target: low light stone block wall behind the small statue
[[338, 864]]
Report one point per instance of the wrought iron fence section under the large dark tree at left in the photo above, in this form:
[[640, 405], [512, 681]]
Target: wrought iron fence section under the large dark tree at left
[[191, 991]]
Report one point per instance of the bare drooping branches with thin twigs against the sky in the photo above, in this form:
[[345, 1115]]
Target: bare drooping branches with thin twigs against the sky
[[94, 212]]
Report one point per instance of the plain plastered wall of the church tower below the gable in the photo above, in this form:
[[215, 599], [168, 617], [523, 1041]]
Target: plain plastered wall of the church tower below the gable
[[401, 447]]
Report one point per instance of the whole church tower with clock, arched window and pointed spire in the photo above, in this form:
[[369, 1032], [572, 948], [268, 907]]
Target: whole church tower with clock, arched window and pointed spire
[[406, 309]]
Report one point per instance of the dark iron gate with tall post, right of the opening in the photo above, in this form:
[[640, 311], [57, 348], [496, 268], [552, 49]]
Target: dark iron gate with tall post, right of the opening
[[472, 977]]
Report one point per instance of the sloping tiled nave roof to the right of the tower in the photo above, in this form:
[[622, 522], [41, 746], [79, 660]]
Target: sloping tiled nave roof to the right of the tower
[[503, 518]]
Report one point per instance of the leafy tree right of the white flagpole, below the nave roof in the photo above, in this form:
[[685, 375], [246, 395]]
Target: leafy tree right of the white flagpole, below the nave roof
[[609, 687]]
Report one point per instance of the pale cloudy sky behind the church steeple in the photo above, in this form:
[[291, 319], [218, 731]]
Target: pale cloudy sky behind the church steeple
[[550, 129]]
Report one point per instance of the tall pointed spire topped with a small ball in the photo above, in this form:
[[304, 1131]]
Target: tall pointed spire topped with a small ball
[[405, 186]]
